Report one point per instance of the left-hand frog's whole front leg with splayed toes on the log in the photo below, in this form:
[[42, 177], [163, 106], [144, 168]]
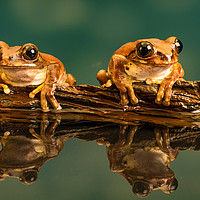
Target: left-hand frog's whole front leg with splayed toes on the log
[[47, 89]]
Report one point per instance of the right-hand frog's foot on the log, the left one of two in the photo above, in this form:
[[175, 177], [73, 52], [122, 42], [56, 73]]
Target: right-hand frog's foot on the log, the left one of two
[[126, 88]]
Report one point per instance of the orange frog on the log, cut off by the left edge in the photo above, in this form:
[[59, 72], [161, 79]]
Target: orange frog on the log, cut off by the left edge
[[23, 66]]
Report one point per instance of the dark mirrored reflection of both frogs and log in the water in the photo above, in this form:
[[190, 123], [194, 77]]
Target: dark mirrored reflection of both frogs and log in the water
[[139, 153]]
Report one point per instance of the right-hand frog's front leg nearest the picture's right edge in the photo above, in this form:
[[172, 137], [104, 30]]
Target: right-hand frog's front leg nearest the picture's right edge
[[165, 90]]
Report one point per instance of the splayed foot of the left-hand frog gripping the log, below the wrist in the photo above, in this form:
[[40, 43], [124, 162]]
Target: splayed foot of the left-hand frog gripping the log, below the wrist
[[46, 92]]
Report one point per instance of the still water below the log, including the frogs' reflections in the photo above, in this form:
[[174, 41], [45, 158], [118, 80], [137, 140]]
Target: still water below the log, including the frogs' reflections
[[83, 169]]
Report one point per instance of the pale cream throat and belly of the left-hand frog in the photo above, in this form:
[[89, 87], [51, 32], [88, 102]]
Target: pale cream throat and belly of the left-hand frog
[[22, 77]]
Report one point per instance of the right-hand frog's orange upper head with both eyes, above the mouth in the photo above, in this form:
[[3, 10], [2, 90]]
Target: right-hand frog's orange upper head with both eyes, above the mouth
[[152, 51]]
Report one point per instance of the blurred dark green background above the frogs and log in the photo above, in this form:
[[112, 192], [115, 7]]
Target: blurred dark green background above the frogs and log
[[83, 34]]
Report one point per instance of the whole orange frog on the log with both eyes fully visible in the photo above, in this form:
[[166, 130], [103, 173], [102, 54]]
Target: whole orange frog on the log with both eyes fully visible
[[150, 60]]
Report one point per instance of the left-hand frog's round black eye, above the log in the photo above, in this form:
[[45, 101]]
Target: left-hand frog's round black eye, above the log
[[30, 52]]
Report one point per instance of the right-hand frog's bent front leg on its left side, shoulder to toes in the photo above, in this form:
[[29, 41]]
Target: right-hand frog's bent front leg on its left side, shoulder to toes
[[119, 78]]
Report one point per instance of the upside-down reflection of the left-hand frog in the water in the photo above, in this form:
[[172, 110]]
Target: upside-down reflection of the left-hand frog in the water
[[22, 156]]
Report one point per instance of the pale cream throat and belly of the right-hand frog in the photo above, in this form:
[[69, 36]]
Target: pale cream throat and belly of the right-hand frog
[[144, 72]]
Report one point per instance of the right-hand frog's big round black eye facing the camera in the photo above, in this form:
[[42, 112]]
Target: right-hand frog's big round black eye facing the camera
[[145, 49]]
